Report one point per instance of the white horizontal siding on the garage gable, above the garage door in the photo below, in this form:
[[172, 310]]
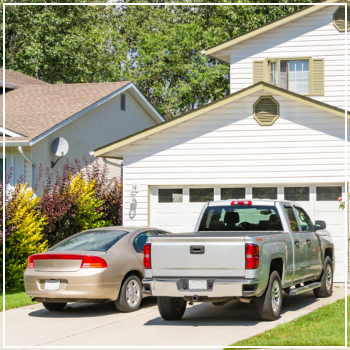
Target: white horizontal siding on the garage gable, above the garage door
[[227, 146]]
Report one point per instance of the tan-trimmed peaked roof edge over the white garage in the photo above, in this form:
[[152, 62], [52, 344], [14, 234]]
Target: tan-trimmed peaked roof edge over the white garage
[[261, 86]]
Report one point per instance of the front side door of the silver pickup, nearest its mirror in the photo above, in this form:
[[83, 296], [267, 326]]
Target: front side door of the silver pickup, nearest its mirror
[[313, 254]]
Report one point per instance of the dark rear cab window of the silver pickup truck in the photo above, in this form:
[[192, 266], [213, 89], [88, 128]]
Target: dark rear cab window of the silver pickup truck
[[241, 218]]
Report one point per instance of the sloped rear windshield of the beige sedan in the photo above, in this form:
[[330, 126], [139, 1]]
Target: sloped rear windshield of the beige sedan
[[100, 240]]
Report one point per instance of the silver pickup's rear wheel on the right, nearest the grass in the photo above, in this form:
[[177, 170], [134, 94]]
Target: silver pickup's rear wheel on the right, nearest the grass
[[268, 306]]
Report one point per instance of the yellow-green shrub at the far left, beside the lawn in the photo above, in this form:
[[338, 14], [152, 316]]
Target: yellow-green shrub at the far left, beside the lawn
[[24, 232]]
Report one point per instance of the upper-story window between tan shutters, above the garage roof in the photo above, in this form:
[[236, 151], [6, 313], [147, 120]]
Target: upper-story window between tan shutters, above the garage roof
[[292, 75]]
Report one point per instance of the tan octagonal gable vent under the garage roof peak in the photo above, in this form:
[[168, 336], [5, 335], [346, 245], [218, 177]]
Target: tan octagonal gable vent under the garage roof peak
[[266, 110]]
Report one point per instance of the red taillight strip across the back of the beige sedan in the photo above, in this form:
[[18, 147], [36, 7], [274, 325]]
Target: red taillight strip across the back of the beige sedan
[[86, 260]]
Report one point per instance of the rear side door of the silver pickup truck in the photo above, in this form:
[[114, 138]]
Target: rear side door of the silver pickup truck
[[299, 242]]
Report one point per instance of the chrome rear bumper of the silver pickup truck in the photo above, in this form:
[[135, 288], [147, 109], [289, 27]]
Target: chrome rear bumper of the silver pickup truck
[[178, 287]]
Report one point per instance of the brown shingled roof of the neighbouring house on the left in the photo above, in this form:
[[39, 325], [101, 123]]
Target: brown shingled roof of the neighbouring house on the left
[[34, 111]]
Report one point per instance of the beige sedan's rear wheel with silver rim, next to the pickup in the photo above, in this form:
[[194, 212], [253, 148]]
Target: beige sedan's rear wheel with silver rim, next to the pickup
[[130, 295]]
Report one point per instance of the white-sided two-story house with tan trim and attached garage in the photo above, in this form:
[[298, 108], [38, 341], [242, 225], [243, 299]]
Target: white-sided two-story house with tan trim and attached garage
[[280, 133]]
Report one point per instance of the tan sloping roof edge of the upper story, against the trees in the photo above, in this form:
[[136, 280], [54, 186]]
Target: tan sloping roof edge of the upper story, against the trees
[[214, 51]]
